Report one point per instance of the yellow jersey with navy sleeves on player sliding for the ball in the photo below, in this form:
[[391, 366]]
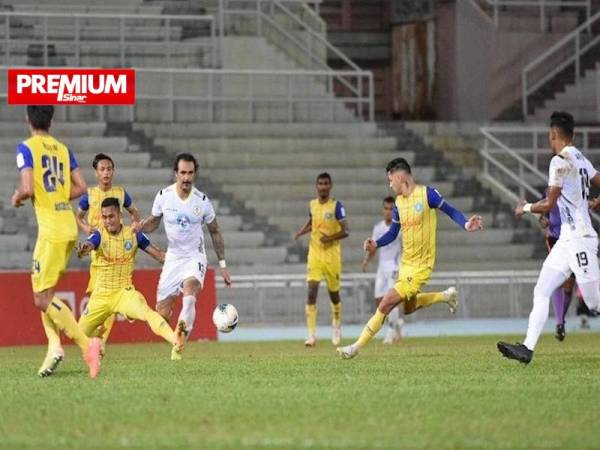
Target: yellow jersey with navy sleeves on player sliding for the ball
[[115, 257]]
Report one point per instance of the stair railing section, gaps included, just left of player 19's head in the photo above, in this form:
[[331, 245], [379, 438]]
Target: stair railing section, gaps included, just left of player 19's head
[[515, 158]]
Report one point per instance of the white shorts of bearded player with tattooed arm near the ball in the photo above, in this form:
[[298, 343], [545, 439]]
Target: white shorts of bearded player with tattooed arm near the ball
[[176, 270]]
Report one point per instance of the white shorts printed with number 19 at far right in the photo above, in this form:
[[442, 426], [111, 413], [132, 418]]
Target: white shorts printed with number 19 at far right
[[577, 256]]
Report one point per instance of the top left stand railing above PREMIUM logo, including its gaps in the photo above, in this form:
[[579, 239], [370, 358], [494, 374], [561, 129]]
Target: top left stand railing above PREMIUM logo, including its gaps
[[71, 35]]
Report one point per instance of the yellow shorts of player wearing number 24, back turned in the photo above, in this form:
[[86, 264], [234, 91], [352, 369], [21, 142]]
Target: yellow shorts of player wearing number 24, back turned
[[50, 260]]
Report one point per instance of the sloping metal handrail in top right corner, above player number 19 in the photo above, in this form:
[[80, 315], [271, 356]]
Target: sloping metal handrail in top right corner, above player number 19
[[568, 56]]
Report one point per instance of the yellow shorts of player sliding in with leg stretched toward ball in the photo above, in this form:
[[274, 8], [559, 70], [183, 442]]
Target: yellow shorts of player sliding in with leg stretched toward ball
[[126, 301]]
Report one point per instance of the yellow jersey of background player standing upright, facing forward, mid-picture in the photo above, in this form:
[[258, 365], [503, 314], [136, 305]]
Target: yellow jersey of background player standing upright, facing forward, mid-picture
[[325, 219]]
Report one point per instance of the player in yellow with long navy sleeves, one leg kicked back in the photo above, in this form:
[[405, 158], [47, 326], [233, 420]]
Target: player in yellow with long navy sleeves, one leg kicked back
[[416, 213]]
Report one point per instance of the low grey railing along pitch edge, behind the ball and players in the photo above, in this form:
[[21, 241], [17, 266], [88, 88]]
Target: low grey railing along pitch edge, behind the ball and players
[[265, 299]]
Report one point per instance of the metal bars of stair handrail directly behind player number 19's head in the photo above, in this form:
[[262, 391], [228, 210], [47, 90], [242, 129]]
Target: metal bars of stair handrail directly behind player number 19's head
[[518, 178]]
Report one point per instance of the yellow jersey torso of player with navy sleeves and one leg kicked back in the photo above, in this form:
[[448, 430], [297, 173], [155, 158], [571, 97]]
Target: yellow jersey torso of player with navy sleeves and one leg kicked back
[[418, 222]]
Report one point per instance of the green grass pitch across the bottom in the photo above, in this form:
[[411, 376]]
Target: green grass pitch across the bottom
[[433, 393]]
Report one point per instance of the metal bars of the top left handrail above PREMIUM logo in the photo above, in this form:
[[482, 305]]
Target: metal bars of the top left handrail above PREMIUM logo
[[164, 21]]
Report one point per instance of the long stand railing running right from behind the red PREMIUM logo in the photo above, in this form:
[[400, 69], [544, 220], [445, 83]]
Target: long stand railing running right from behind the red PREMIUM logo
[[170, 89]]
